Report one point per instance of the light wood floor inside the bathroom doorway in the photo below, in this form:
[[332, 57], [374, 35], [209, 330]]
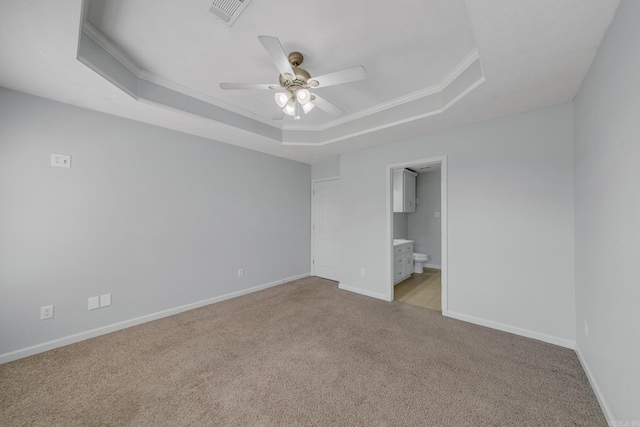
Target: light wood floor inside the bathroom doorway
[[423, 290]]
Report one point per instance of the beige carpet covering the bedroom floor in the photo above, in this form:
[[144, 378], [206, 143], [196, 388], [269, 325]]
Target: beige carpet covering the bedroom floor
[[303, 353]]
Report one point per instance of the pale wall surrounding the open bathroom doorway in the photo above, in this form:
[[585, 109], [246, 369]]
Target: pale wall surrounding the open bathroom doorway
[[510, 221]]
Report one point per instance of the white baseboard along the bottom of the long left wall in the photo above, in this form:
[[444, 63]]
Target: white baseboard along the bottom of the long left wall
[[70, 339]]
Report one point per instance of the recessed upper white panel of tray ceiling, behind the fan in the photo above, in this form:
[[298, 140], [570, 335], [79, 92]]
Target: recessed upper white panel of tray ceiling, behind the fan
[[184, 44]]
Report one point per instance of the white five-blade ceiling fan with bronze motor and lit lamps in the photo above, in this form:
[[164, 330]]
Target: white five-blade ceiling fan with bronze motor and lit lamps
[[292, 93]]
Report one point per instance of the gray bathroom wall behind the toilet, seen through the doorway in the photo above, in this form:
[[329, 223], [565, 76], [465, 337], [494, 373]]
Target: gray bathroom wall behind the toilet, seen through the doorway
[[423, 226]]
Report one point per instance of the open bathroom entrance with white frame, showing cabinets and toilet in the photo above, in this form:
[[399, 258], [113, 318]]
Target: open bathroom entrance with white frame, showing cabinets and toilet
[[417, 231]]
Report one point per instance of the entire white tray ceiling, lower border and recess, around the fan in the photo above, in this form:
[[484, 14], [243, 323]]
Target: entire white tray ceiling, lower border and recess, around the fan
[[533, 54]]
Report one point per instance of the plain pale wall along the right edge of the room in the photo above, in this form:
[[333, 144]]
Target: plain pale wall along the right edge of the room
[[607, 217]]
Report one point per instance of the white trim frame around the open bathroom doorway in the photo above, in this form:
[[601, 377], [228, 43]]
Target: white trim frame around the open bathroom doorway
[[442, 160]]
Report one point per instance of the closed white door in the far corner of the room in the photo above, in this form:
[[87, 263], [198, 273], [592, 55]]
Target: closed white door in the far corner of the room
[[326, 229]]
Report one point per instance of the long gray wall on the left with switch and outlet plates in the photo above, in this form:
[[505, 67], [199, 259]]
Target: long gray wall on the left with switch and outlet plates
[[157, 218]]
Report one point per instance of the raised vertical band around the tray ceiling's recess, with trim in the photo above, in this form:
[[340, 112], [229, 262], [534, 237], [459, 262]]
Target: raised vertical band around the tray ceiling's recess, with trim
[[463, 78]]
